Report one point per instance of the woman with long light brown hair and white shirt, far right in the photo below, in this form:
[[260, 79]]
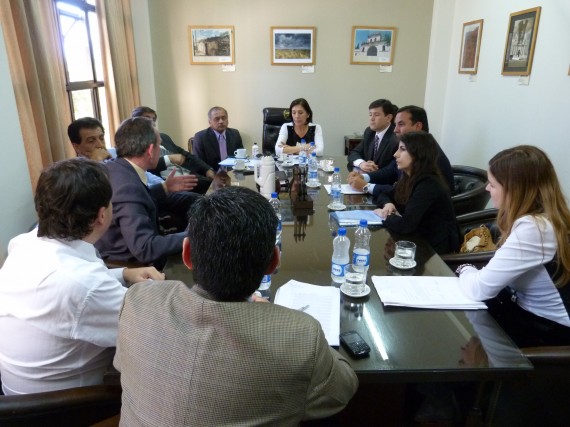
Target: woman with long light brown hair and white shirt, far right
[[526, 280]]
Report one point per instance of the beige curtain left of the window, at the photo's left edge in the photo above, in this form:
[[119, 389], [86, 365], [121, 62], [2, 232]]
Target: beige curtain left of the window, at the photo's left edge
[[36, 68]]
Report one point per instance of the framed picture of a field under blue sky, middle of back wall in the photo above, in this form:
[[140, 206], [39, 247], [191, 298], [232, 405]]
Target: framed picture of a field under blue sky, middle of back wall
[[293, 45]]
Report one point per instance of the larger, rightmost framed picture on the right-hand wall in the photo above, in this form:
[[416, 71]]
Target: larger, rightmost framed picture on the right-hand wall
[[521, 38]]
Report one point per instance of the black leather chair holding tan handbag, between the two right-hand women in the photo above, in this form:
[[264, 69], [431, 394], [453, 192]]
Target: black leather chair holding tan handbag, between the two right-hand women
[[466, 223]]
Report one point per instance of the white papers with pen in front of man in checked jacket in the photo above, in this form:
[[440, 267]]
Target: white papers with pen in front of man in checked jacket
[[321, 302]]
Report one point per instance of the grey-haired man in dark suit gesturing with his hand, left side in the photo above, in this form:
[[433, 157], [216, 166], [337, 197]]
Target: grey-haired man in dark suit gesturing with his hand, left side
[[134, 234]]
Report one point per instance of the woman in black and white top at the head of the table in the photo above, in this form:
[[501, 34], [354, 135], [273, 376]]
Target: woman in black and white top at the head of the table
[[301, 128]]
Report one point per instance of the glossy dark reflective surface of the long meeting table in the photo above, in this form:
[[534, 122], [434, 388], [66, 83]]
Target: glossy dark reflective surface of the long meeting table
[[407, 344]]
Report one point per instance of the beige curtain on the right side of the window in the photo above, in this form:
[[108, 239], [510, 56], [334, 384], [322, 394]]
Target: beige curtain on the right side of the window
[[121, 81]]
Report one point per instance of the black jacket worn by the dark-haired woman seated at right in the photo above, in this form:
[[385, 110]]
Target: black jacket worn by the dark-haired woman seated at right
[[428, 212]]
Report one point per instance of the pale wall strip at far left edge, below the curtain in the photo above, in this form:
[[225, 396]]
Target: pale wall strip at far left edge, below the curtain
[[17, 212]]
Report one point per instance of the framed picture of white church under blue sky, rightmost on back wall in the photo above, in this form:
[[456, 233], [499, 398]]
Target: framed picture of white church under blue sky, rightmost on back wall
[[373, 45]]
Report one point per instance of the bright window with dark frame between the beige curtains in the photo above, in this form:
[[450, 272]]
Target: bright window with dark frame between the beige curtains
[[79, 34]]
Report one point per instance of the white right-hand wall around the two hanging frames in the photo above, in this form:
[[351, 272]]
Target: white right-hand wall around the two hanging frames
[[473, 120]]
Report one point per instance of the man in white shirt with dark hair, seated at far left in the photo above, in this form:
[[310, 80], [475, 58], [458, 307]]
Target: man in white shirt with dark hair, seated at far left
[[59, 303]]
